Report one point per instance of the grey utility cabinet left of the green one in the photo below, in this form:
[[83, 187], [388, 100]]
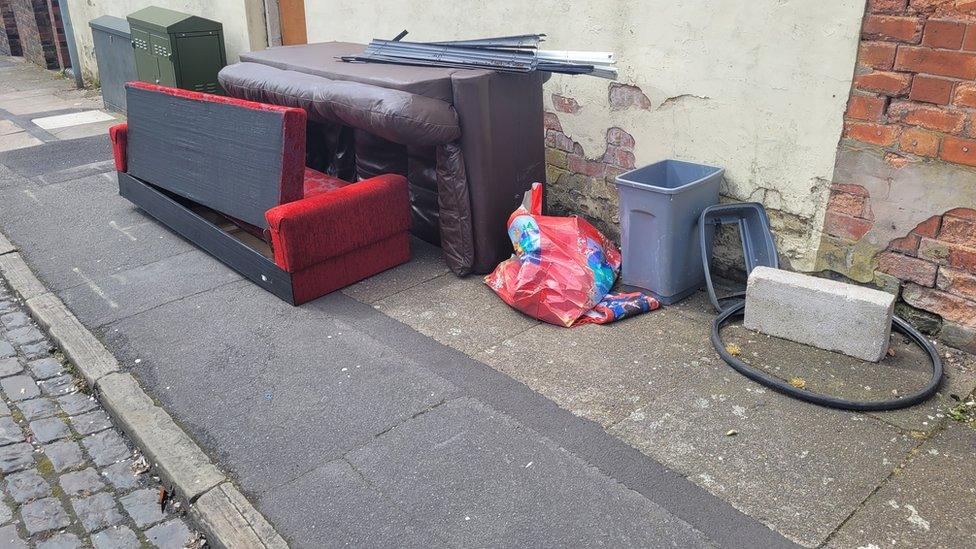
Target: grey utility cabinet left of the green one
[[113, 54]]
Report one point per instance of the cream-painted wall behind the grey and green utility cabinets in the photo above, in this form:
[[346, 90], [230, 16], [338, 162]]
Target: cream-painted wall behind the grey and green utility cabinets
[[243, 21]]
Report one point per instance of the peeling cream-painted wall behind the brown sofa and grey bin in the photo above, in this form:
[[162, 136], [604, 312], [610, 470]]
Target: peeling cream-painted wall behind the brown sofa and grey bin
[[757, 86]]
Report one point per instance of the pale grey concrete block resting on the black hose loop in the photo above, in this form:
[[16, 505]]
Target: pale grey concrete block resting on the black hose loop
[[831, 315]]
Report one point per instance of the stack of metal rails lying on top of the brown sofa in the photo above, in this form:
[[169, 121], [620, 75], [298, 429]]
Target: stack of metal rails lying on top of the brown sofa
[[506, 53]]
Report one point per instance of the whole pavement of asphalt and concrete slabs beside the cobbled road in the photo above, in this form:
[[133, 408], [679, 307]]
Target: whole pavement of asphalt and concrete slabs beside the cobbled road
[[415, 408]]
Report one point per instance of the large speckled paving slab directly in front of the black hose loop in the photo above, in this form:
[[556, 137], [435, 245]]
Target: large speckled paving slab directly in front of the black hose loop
[[799, 468]]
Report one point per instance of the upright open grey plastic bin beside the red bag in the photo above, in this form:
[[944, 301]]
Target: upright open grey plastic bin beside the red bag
[[659, 209]]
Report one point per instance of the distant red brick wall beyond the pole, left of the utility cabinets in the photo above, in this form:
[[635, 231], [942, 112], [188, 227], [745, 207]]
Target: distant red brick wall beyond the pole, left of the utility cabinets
[[43, 42]]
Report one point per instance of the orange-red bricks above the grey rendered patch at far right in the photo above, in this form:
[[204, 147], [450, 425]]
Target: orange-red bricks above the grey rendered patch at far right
[[915, 85]]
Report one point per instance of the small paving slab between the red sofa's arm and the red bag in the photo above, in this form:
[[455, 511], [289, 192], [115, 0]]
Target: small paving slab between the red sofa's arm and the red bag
[[460, 312]]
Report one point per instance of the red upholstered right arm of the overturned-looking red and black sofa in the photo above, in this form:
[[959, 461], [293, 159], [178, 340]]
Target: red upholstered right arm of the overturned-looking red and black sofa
[[311, 230]]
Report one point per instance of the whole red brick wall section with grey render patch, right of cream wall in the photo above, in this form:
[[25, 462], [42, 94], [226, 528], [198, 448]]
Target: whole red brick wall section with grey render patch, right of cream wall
[[902, 208]]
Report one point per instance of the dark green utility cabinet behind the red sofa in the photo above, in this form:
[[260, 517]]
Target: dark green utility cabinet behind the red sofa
[[177, 49]]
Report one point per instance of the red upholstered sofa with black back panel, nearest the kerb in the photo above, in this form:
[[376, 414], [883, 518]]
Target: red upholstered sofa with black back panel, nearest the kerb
[[230, 176]]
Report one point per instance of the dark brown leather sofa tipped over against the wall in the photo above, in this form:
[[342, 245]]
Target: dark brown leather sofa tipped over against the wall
[[468, 141]]
